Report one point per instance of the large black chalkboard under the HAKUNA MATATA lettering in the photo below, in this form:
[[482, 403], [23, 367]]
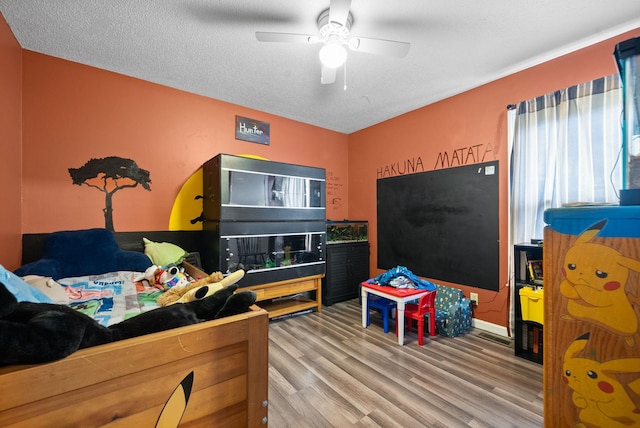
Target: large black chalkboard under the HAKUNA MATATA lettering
[[442, 224]]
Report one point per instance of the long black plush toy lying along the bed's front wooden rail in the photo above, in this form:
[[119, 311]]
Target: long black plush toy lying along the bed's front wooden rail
[[33, 333]]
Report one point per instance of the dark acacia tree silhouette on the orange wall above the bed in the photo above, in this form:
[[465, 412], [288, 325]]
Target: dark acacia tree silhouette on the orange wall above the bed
[[109, 175]]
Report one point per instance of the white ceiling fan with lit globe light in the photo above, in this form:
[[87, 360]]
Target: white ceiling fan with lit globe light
[[334, 25]]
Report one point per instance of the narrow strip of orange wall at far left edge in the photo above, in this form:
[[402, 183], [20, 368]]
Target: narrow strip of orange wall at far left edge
[[10, 135]]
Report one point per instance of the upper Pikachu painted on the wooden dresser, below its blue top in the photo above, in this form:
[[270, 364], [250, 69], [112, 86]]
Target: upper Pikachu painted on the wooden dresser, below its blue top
[[594, 284]]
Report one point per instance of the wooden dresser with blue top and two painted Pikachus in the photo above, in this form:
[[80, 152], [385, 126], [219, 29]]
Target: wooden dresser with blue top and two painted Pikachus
[[591, 317]]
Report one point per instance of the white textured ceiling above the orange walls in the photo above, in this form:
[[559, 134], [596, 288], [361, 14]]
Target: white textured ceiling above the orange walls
[[209, 47]]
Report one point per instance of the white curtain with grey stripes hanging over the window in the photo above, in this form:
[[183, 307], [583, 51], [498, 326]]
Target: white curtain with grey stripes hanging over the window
[[566, 146]]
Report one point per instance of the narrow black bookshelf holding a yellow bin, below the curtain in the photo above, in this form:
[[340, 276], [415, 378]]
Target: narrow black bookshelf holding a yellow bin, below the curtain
[[528, 329]]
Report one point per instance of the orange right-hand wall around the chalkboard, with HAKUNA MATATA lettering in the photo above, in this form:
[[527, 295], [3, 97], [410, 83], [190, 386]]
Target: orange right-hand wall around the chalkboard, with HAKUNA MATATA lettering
[[476, 117]]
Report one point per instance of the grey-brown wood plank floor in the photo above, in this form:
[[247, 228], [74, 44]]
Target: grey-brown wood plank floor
[[325, 370]]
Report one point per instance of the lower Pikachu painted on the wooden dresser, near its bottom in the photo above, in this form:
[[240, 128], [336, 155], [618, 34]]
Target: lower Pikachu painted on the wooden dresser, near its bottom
[[601, 398]]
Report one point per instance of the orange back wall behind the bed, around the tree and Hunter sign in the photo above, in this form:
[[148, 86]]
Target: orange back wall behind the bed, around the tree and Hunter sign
[[73, 113]]
